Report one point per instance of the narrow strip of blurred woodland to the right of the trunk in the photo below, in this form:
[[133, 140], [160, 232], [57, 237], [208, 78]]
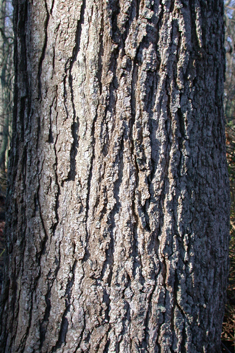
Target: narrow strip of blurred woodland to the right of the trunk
[[228, 334]]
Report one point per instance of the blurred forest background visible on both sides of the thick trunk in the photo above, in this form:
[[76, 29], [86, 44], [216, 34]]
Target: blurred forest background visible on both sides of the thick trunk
[[6, 110]]
